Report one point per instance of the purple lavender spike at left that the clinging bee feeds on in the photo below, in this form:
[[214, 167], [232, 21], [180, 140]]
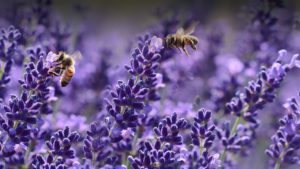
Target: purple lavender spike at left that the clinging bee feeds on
[[21, 114]]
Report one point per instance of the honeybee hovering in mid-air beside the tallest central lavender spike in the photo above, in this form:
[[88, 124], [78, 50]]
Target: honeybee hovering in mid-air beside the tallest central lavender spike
[[183, 37]]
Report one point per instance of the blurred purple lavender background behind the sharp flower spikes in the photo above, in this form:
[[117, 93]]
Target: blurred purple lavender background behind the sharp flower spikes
[[233, 44]]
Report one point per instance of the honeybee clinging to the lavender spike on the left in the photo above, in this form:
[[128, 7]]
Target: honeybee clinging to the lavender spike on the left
[[65, 67]]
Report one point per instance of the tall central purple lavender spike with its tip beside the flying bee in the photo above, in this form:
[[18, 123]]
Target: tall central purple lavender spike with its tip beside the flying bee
[[128, 99]]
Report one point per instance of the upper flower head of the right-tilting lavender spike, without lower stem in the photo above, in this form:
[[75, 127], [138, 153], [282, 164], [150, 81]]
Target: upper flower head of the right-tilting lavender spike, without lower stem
[[261, 91]]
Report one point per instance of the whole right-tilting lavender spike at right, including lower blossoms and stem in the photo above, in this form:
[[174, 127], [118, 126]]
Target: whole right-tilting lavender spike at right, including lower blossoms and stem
[[257, 94]]
